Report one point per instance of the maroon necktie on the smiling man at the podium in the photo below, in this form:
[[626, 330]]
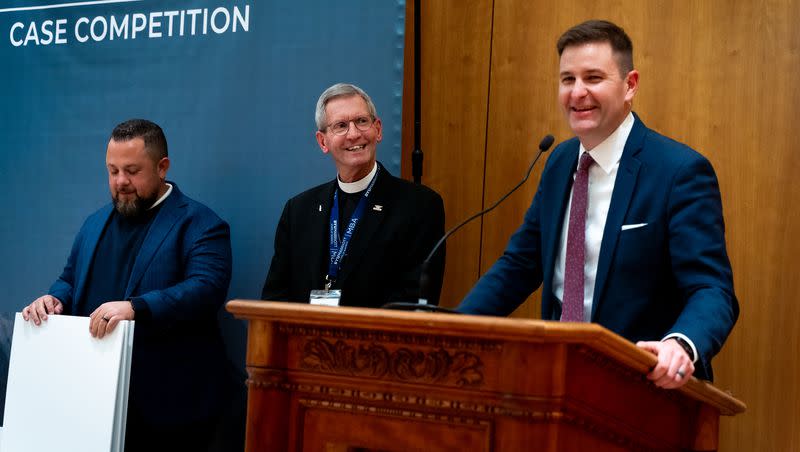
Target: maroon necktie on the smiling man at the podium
[[572, 303]]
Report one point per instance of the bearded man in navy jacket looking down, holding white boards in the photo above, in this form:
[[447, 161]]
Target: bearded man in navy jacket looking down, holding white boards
[[163, 260]]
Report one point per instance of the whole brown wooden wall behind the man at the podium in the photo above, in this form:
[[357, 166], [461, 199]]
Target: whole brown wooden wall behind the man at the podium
[[717, 75]]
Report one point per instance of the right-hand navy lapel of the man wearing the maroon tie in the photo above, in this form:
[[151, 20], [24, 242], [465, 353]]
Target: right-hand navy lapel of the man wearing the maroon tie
[[624, 186]]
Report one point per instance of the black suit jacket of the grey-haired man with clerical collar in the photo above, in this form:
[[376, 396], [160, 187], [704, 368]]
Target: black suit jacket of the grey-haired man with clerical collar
[[383, 260]]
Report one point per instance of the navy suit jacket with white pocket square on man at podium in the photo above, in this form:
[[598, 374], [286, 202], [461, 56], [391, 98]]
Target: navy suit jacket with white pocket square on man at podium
[[670, 276]]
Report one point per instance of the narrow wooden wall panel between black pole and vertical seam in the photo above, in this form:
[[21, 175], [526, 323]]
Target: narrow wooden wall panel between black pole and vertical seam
[[455, 83]]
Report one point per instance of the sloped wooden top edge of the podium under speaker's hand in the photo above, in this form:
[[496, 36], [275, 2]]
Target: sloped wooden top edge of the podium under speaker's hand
[[477, 327]]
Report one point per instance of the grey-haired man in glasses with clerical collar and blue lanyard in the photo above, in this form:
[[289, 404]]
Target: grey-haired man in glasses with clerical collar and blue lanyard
[[360, 239]]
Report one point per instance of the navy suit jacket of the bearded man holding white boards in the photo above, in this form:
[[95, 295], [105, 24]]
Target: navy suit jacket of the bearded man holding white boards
[[182, 273]]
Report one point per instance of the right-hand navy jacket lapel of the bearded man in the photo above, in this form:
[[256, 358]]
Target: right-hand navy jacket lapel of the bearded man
[[163, 223]]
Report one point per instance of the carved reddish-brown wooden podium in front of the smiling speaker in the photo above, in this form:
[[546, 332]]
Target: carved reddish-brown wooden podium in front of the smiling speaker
[[338, 379]]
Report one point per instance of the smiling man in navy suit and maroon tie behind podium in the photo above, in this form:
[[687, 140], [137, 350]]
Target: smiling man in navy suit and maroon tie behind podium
[[649, 237]]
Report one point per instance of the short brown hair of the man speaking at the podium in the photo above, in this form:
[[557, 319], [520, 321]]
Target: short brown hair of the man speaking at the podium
[[600, 31]]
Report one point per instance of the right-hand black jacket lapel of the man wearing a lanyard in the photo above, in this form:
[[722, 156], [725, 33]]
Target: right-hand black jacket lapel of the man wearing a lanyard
[[369, 223]]
